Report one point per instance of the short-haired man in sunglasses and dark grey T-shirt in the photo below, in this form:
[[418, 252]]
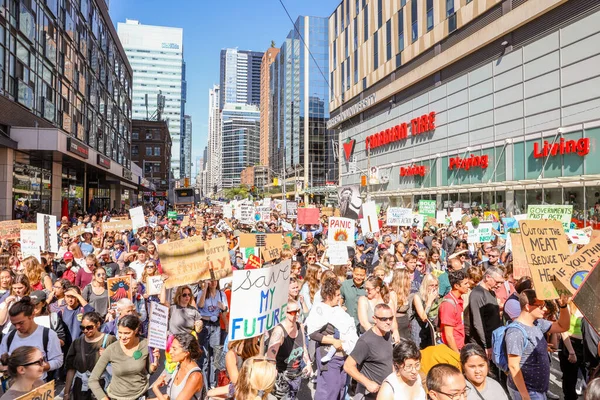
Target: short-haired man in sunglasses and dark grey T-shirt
[[370, 362]]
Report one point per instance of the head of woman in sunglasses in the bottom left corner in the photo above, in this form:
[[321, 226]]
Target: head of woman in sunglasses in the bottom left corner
[[25, 368]]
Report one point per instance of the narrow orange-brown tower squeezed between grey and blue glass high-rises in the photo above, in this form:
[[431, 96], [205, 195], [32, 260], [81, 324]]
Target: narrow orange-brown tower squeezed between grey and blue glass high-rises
[[265, 101]]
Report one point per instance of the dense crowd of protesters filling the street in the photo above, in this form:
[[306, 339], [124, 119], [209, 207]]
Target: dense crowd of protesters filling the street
[[412, 314]]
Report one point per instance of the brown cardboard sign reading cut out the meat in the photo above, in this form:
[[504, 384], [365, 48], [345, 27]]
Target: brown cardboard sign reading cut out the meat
[[546, 249]]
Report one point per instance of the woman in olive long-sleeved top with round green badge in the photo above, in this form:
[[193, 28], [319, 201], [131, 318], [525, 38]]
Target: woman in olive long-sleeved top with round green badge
[[130, 362]]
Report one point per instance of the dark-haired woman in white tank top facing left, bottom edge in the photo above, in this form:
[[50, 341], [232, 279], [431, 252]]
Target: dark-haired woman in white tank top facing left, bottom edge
[[187, 382]]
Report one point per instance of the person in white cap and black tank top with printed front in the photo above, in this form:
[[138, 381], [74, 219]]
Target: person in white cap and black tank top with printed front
[[287, 345]]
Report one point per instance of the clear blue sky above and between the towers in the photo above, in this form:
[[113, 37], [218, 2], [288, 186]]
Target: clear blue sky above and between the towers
[[208, 26]]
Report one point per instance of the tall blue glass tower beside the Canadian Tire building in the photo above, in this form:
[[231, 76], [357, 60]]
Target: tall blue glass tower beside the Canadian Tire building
[[300, 146]]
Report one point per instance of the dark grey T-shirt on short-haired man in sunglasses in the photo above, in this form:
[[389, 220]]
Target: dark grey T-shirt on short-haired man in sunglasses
[[373, 356]]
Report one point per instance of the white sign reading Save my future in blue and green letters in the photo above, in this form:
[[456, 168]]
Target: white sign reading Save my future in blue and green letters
[[258, 300]]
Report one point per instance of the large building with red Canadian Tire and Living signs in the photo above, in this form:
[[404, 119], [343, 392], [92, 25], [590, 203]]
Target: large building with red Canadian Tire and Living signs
[[460, 102]]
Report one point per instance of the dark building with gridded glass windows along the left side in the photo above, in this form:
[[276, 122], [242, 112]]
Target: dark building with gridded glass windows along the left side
[[65, 110]]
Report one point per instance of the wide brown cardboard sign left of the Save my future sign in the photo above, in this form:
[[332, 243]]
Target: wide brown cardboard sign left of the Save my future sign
[[191, 260]]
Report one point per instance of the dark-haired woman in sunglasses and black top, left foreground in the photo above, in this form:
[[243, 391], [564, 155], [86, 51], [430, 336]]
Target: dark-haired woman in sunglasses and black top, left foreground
[[83, 354]]
